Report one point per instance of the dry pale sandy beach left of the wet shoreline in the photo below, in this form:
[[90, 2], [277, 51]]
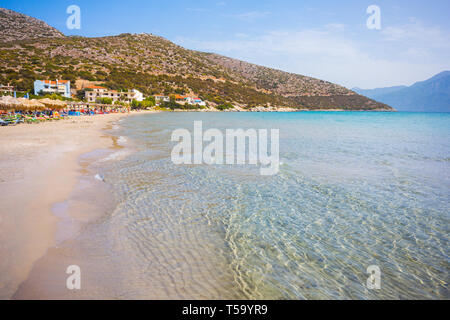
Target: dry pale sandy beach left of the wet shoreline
[[39, 166]]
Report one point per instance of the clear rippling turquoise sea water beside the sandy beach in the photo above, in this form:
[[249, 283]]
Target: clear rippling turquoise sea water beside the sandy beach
[[354, 190]]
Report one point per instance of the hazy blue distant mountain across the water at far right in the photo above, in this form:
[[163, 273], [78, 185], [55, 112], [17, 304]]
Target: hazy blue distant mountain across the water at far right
[[432, 95]]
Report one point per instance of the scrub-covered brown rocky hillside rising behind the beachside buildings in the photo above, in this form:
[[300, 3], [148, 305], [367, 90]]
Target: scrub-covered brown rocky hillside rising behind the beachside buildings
[[154, 65]]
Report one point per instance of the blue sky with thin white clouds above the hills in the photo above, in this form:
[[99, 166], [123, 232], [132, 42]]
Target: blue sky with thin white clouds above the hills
[[325, 39]]
